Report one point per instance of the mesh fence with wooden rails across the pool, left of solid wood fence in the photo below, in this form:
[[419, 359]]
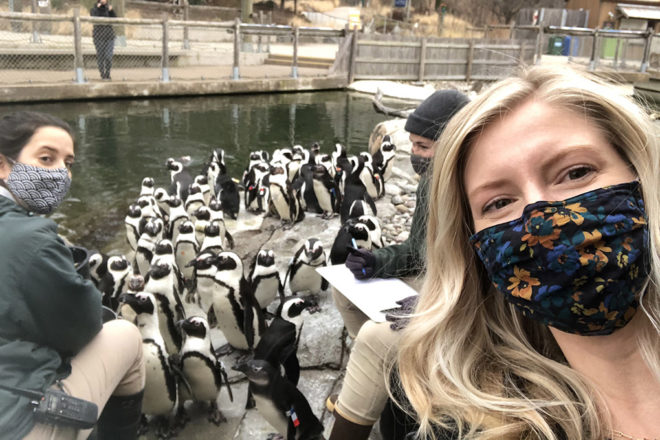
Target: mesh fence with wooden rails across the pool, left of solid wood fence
[[41, 48]]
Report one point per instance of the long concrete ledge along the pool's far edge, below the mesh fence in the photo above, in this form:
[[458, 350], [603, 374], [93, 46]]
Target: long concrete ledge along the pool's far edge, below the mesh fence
[[109, 90]]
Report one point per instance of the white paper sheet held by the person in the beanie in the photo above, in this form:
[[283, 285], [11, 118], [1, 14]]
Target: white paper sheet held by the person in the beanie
[[371, 296]]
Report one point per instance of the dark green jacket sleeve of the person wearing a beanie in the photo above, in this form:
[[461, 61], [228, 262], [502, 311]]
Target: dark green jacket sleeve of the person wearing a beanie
[[407, 258]]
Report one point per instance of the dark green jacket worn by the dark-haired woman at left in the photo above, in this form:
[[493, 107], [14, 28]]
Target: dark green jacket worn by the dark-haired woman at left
[[48, 312]]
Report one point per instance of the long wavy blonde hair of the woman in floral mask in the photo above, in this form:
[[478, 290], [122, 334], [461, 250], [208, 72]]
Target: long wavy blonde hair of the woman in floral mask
[[468, 360]]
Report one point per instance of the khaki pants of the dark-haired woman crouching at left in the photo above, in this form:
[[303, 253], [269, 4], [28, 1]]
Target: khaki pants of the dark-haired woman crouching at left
[[111, 364]]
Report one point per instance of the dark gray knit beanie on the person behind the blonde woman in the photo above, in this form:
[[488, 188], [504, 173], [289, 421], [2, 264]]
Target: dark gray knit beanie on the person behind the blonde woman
[[430, 117]]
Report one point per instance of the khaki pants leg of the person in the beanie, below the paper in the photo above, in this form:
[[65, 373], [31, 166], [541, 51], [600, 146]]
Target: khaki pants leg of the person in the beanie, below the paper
[[364, 393]]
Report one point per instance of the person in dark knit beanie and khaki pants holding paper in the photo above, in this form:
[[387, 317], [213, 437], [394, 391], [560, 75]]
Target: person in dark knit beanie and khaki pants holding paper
[[364, 393]]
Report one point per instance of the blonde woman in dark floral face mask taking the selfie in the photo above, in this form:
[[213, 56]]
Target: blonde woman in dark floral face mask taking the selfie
[[539, 316]]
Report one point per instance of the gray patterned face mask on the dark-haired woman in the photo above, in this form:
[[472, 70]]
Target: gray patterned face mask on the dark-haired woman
[[40, 190]]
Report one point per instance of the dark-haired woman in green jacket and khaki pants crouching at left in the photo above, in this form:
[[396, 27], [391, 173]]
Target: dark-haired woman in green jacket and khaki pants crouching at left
[[51, 332]]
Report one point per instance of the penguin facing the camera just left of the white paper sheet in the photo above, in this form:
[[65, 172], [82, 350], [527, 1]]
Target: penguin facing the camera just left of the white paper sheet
[[302, 275]]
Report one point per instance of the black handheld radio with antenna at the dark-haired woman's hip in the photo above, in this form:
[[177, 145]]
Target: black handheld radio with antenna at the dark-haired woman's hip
[[56, 407]]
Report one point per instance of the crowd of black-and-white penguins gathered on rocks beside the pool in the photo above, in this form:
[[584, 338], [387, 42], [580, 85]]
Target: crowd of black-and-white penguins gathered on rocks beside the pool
[[181, 278]]
